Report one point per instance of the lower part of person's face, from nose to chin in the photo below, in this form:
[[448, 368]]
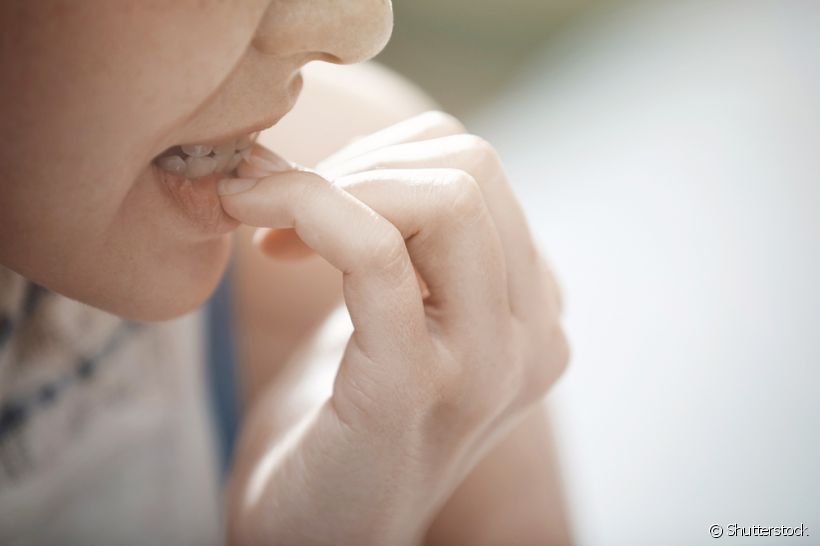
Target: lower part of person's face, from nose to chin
[[95, 91]]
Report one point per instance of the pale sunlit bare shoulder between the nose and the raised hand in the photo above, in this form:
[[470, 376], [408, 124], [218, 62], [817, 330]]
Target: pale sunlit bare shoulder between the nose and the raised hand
[[339, 103]]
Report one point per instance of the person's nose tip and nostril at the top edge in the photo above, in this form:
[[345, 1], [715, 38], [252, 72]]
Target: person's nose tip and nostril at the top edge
[[337, 31]]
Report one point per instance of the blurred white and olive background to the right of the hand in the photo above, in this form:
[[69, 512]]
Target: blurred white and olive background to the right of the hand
[[668, 156]]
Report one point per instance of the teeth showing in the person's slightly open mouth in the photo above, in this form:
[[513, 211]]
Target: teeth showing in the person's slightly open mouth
[[199, 160]]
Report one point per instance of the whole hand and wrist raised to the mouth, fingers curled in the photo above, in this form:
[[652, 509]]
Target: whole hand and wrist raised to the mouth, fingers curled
[[427, 384]]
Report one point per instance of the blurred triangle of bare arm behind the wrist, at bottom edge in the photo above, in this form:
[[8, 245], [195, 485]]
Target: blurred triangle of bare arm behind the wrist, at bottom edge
[[513, 496]]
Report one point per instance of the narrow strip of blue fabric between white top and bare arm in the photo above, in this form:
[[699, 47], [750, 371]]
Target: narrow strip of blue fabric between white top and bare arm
[[222, 374]]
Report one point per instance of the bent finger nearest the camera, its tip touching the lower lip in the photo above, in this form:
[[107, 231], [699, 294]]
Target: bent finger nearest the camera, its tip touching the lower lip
[[380, 287]]
